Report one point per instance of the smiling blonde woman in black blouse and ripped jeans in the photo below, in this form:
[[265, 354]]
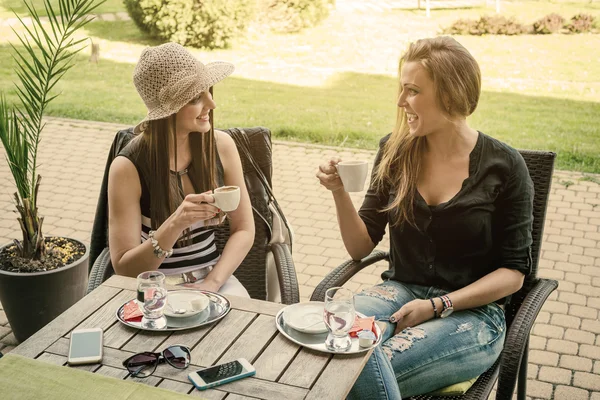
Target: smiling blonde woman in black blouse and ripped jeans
[[458, 206]]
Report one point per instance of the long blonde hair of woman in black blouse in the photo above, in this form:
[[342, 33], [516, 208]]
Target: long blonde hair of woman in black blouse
[[457, 81]]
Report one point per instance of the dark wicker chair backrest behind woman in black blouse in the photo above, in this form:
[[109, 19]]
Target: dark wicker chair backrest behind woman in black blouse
[[541, 166]]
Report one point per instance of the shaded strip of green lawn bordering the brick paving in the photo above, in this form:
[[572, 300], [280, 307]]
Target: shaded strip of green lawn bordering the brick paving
[[354, 109]]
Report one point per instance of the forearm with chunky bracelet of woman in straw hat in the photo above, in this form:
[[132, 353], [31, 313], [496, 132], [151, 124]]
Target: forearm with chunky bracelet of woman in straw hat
[[142, 258]]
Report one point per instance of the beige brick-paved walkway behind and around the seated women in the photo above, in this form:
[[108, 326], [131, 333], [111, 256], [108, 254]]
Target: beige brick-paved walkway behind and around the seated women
[[565, 344]]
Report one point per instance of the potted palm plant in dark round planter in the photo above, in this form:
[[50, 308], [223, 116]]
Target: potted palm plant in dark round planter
[[40, 277]]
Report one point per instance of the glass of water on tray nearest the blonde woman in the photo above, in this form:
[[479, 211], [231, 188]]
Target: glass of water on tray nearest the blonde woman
[[339, 316]]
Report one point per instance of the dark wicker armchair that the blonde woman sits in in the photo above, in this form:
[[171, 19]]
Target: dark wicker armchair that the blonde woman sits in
[[520, 313]]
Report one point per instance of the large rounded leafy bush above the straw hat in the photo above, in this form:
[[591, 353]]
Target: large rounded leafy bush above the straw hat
[[204, 24]]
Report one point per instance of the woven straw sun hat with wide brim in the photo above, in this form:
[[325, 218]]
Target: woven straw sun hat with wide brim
[[167, 77]]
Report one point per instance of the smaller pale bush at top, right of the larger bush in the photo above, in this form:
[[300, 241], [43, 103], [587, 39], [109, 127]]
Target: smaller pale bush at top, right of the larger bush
[[288, 16]]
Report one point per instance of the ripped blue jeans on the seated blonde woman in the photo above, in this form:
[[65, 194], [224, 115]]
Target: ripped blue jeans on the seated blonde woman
[[435, 354]]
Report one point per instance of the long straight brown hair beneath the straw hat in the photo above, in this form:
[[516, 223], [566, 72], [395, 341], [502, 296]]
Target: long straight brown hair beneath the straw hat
[[154, 147]]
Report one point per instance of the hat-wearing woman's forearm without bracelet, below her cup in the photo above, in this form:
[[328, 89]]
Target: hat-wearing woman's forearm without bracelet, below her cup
[[236, 249]]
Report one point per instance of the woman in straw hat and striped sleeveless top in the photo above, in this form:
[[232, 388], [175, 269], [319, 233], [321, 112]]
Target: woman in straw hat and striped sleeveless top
[[159, 186]]
